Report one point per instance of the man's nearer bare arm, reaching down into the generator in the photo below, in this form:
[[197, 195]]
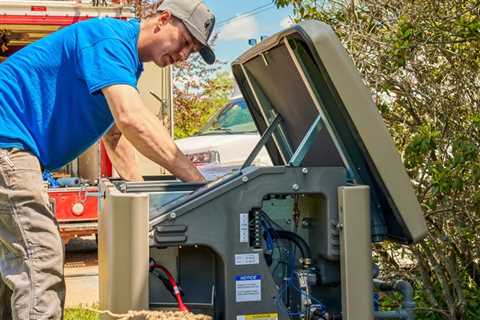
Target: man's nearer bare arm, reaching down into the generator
[[145, 131]]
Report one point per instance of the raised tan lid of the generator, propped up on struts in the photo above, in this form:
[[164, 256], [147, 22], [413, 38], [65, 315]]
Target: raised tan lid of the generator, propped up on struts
[[304, 76]]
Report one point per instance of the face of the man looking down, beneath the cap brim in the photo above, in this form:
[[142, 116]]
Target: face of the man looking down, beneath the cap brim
[[172, 43]]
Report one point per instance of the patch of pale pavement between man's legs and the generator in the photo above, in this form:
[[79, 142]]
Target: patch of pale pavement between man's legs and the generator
[[81, 272]]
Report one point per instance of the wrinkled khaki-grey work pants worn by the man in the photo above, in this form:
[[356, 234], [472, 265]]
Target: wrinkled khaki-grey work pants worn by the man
[[32, 285]]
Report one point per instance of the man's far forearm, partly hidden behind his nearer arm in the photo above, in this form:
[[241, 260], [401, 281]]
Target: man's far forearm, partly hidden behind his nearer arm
[[122, 154]]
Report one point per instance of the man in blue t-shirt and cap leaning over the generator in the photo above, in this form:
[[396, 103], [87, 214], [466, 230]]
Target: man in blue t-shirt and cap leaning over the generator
[[57, 97]]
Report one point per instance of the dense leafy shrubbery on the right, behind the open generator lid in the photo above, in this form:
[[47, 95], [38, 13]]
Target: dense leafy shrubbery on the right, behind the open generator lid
[[421, 60]]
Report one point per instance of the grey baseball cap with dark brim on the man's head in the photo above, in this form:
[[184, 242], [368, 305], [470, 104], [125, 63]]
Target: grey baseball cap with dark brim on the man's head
[[198, 19]]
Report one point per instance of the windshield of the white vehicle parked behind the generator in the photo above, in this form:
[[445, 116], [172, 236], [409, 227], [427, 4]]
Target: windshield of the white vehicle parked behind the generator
[[234, 118]]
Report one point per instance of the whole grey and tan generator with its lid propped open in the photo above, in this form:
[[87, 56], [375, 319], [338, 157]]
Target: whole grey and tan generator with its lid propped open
[[287, 241]]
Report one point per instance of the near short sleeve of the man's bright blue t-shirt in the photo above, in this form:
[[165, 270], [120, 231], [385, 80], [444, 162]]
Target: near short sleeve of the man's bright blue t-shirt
[[105, 63]]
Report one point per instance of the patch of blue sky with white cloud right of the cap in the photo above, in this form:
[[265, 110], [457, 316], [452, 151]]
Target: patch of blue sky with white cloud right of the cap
[[240, 20]]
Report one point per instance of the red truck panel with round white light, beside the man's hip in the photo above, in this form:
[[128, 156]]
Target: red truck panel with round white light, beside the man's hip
[[73, 205]]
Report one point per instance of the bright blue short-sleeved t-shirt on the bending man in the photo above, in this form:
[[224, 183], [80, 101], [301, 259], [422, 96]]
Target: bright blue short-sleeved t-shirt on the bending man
[[50, 91]]
